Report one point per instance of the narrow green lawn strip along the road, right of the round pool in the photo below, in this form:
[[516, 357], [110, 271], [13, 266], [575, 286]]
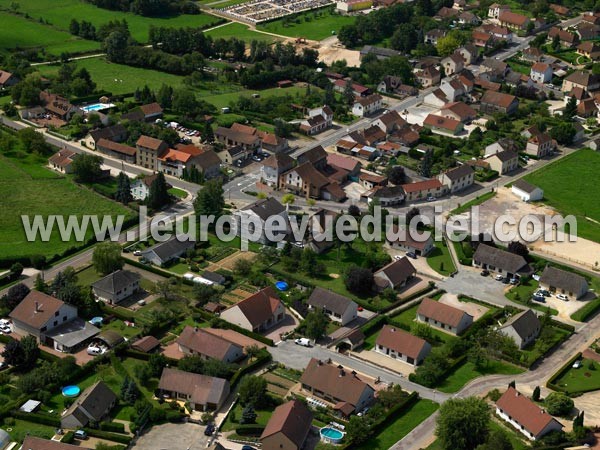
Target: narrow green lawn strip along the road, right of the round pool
[[401, 426]]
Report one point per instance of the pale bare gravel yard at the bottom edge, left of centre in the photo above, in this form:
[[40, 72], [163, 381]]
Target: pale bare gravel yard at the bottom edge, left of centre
[[170, 436]]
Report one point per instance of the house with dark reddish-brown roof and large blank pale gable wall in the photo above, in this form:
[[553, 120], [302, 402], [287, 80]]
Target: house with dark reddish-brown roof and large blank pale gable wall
[[258, 313]]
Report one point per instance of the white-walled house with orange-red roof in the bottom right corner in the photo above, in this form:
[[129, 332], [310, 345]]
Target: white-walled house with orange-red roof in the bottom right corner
[[524, 415]]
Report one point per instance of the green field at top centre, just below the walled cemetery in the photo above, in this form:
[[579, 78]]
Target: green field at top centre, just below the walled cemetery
[[315, 25]]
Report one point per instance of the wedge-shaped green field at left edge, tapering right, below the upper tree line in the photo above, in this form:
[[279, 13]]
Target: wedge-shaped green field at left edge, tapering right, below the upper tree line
[[18, 32]]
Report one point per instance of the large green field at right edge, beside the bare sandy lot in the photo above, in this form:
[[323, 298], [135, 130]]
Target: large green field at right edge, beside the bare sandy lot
[[577, 191]]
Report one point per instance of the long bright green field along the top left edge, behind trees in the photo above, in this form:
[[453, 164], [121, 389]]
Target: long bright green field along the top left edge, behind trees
[[60, 12]]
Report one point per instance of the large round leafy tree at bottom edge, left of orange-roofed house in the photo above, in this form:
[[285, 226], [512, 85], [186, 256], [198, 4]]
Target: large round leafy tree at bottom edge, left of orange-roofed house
[[463, 424]]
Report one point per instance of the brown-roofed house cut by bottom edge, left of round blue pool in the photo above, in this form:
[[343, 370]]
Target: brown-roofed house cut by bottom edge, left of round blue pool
[[288, 427]]
